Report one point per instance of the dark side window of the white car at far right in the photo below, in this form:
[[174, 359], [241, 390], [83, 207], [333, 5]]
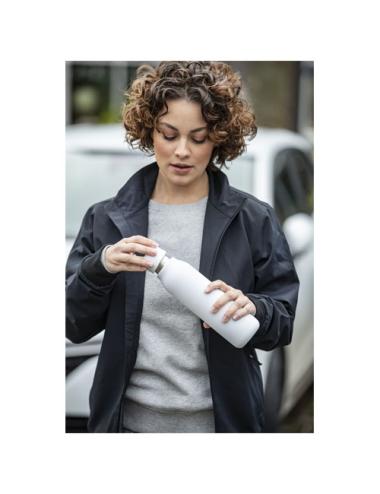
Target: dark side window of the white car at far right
[[293, 183]]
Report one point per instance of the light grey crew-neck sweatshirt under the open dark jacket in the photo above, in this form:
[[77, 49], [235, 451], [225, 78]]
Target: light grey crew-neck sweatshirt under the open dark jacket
[[169, 390]]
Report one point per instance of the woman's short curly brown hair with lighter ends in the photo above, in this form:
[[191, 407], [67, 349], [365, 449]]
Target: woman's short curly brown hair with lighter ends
[[212, 84]]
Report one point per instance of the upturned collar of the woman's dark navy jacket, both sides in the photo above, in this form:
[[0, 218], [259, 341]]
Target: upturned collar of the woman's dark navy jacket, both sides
[[129, 210]]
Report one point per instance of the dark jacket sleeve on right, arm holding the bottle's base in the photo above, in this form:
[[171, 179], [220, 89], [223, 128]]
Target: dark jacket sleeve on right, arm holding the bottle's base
[[276, 286]]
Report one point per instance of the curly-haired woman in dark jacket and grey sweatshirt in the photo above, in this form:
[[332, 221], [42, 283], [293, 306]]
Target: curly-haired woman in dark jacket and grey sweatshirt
[[160, 369]]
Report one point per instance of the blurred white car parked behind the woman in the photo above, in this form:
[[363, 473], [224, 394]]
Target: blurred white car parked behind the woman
[[276, 168]]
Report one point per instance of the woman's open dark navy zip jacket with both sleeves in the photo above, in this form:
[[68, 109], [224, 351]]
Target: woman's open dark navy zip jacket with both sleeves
[[242, 244]]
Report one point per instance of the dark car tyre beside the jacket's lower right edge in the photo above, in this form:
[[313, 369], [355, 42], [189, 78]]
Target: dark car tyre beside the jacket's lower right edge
[[274, 390]]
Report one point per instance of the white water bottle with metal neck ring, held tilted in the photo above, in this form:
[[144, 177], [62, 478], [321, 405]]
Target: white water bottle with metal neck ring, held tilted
[[188, 285]]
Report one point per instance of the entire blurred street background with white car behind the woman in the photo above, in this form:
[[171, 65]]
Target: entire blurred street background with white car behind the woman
[[277, 168]]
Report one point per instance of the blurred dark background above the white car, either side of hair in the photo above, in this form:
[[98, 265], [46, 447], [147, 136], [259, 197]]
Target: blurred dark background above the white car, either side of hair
[[280, 92]]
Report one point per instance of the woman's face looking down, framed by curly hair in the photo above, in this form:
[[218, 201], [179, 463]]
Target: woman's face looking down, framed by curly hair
[[181, 144]]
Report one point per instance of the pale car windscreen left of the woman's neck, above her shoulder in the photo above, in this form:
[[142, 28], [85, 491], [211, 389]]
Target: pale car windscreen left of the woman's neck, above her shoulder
[[93, 176]]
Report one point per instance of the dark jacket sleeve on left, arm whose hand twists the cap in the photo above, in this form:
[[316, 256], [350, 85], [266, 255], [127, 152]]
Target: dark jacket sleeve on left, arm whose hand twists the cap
[[88, 286]]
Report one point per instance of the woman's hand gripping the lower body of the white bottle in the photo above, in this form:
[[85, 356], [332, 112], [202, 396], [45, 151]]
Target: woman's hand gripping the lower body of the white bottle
[[242, 304]]
